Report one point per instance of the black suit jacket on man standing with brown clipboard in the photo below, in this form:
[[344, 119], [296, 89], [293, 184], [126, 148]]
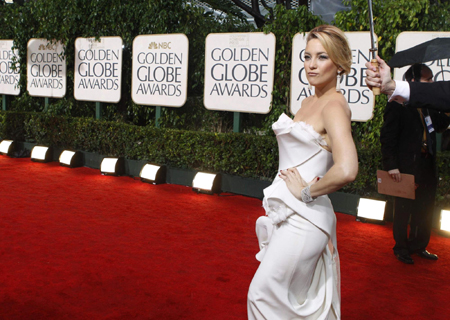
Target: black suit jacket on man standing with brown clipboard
[[402, 134]]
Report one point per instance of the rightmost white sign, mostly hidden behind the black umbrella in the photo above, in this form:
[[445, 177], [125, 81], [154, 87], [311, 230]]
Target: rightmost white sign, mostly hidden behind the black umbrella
[[409, 39]]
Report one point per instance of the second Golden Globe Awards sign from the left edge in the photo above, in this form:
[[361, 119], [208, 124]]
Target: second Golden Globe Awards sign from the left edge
[[46, 69]]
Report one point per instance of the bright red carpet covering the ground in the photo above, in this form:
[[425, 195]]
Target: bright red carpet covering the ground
[[78, 245]]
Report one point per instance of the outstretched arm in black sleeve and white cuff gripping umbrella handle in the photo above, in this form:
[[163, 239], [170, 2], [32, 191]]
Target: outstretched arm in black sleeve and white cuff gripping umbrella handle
[[417, 95]]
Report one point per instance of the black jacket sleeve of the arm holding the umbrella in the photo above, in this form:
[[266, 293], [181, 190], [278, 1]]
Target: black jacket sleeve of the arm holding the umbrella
[[434, 95]]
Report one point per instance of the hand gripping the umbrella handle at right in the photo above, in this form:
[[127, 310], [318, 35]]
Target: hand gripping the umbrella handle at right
[[381, 79]]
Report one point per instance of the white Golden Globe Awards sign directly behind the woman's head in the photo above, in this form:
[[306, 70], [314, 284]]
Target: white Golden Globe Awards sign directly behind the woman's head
[[359, 97]]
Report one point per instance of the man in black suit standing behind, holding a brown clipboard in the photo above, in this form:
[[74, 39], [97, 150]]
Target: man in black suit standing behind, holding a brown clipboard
[[408, 145]]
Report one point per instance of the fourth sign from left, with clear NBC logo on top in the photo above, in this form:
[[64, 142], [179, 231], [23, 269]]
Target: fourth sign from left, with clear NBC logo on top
[[160, 69]]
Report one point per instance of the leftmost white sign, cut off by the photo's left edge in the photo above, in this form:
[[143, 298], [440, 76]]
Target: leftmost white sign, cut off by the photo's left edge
[[9, 77]]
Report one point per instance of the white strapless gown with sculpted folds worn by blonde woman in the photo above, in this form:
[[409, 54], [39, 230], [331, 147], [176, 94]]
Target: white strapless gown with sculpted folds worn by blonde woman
[[299, 276]]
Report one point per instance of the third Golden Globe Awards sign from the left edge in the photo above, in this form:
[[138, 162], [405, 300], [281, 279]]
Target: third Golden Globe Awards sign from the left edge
[[98, 69]]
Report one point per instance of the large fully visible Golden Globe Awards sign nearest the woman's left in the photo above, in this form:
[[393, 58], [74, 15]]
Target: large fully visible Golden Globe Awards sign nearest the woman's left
[[239, 70]]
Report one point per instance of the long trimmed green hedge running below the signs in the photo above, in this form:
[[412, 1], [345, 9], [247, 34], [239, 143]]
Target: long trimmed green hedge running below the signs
[[244, 155]]
